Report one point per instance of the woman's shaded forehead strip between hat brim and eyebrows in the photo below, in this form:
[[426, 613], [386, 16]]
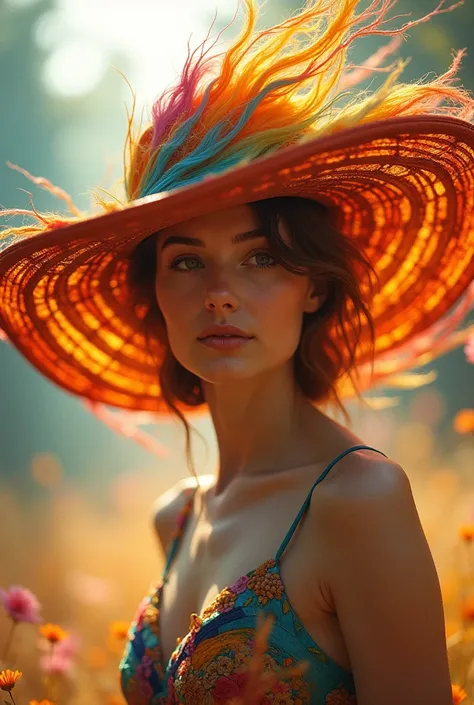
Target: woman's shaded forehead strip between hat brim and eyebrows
[[228, 221]]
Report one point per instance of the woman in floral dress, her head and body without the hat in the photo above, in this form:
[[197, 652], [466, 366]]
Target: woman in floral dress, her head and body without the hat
[[348, 594]]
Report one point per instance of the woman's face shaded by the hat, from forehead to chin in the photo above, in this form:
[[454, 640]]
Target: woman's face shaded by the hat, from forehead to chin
[[217, 270]]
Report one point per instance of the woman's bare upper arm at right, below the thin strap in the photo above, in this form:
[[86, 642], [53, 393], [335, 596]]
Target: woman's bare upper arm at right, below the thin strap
[[385, 588]]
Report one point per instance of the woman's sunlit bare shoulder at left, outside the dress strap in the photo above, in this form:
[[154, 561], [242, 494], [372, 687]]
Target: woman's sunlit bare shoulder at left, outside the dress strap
[[167, 506]]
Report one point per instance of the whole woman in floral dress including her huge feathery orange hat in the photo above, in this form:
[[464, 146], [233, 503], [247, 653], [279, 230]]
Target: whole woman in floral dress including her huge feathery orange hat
[[307, 244]]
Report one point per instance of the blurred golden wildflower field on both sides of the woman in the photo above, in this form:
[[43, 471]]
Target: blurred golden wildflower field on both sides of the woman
[[72, 577]]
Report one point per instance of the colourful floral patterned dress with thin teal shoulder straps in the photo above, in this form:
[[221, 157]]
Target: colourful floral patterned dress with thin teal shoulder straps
[[208, 665]]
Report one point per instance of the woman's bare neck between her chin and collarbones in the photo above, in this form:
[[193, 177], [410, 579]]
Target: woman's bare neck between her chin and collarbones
[[263, 426]]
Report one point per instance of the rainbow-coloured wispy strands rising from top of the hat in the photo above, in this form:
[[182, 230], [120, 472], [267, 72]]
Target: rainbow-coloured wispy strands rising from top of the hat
[[272, 91]]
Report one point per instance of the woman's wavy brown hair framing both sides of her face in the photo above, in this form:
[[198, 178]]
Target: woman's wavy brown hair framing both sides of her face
[[317, 249]]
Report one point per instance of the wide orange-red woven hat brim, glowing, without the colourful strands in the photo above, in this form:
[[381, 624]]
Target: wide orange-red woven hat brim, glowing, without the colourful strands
[[401, 187]]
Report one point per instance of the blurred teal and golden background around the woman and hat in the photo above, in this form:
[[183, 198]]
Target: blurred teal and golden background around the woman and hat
[[75, 496]]
